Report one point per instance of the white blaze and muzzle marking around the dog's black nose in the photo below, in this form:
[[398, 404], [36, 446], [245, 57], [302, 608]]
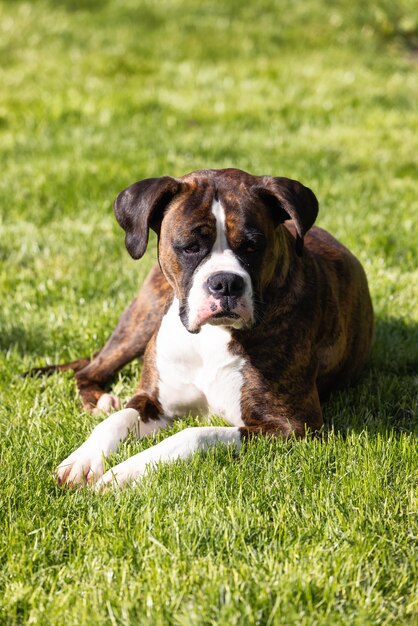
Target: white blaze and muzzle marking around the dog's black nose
[[202, 306]]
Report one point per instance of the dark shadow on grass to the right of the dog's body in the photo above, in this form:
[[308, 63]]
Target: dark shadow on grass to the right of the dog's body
[[385, 398]]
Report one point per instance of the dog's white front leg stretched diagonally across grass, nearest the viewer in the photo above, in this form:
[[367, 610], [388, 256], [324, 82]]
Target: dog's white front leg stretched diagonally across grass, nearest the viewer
[[179, 446]]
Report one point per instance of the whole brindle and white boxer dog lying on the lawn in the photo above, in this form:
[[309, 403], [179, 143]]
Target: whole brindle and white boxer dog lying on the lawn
[[251, 314]]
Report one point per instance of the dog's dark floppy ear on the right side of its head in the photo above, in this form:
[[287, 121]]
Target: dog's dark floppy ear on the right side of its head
[[290, 200]]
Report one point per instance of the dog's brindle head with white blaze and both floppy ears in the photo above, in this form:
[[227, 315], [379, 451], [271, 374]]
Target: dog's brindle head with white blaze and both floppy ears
[[220, 237]]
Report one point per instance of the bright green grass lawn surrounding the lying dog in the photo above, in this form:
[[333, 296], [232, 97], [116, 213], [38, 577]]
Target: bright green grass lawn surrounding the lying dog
[[98, 94]]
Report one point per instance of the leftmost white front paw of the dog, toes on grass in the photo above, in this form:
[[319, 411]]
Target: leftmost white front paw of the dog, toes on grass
[[84, 465]]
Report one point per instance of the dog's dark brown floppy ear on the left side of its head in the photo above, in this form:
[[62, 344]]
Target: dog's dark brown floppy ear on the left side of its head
[[140, 207]]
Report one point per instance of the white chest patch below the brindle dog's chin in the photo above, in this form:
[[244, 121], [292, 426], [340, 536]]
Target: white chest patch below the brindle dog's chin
[[197, 373]]
